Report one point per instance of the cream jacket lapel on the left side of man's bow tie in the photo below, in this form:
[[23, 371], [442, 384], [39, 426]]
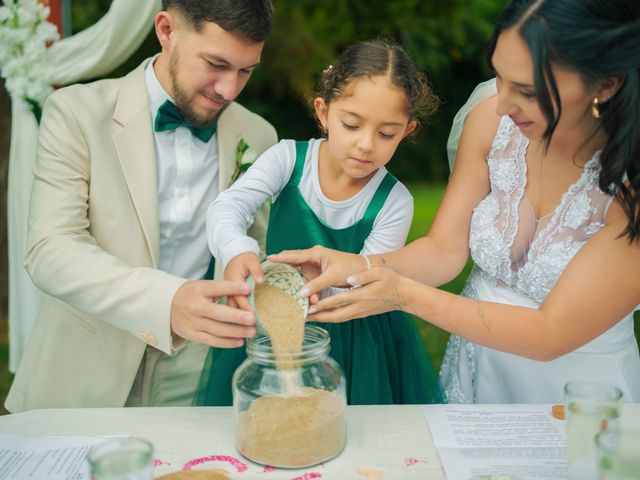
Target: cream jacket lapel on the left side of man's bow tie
[[134, 144]]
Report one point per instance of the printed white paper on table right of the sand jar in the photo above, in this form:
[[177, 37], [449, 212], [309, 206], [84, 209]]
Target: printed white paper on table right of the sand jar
[[504, 441]]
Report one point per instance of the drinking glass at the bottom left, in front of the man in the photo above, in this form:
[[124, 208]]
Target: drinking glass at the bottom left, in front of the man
[[122, 459]]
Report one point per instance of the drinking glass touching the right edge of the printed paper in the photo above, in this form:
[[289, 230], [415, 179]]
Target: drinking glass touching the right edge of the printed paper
[[590, 407]]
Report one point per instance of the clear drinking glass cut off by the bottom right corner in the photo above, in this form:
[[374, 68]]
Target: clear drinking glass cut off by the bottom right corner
[[618, 454]]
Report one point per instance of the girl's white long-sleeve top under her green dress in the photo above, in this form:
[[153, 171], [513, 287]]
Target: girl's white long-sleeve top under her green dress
[[232, 212]]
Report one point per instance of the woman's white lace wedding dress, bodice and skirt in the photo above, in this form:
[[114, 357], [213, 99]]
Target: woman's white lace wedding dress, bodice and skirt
[[518, 260]]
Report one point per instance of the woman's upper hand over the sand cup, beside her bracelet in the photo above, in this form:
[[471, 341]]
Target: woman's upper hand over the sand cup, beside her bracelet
[[325, 267]]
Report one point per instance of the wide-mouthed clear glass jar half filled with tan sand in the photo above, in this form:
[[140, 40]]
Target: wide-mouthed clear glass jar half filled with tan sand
[[290, 413]]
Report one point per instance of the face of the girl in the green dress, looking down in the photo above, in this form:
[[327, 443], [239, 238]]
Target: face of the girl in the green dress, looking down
[[365, 125]]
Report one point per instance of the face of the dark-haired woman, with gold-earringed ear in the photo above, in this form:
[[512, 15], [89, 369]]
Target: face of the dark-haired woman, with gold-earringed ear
[[513, 65]]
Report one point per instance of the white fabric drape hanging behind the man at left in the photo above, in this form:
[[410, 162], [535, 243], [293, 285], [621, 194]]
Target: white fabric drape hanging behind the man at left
[[93, 52]]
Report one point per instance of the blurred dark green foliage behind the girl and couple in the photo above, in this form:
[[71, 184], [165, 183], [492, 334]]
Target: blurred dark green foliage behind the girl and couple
[[445, 39]]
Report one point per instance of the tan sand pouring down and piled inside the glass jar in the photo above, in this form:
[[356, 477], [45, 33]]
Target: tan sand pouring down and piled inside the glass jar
[[301, 426]]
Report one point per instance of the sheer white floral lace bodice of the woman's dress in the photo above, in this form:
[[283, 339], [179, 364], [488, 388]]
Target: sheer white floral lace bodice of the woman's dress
[[508, 244]]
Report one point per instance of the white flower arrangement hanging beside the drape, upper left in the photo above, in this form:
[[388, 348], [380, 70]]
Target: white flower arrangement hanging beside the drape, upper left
[[24, 36]]
